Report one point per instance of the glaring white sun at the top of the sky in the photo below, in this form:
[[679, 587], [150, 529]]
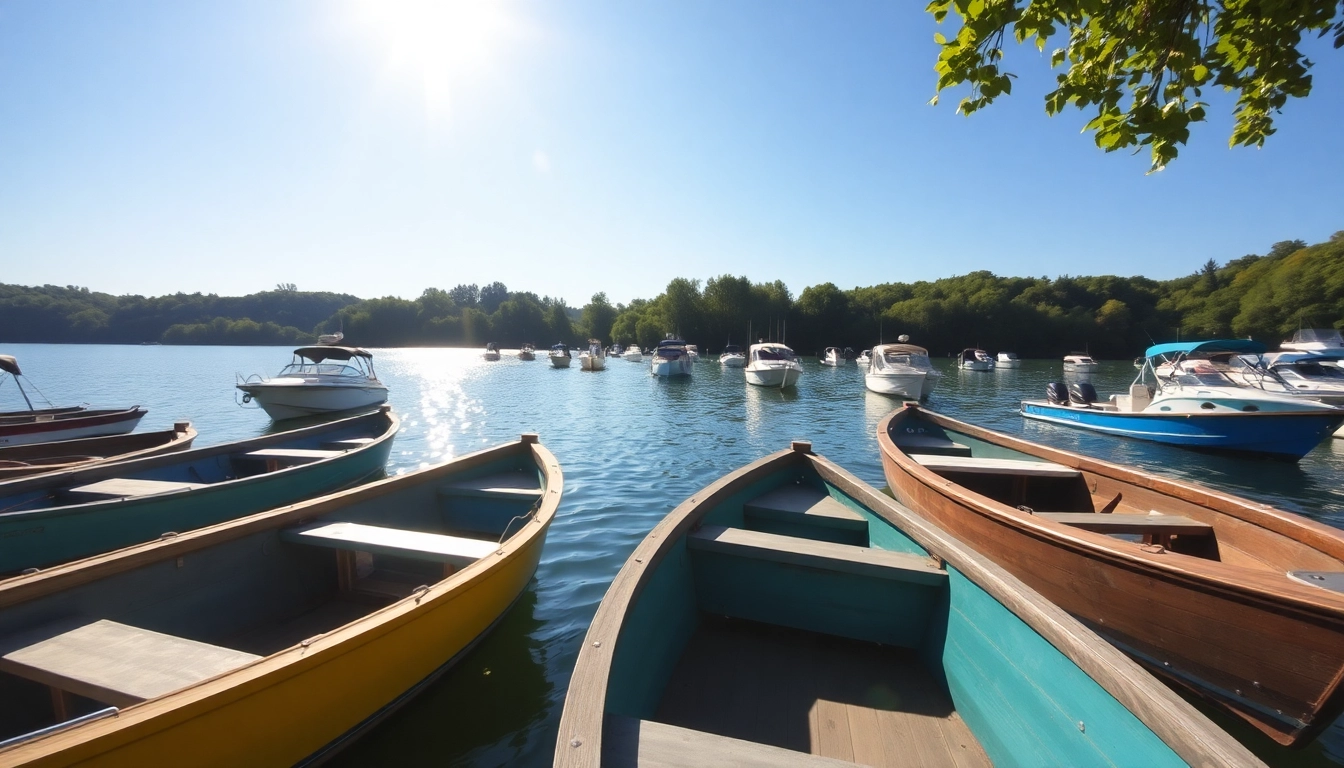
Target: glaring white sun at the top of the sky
[[443, 42]]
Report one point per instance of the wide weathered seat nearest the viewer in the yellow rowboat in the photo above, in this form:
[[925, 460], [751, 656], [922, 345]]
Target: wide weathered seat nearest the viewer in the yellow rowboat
[[119, 665]]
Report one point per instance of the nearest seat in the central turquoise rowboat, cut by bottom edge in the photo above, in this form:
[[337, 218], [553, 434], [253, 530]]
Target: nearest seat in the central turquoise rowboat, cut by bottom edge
[[628, 742]]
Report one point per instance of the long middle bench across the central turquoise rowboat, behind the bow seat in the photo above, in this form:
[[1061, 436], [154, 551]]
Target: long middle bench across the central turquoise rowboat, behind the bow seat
[[829, 556]]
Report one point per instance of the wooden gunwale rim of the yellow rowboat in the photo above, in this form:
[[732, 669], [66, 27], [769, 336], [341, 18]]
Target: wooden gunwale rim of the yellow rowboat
[[221, 691]]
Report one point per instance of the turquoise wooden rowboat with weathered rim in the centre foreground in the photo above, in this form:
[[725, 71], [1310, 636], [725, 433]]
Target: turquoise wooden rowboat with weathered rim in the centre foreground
[[792, 615]]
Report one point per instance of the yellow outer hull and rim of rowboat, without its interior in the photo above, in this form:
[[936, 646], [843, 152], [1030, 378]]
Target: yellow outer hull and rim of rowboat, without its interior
[[307, 700]]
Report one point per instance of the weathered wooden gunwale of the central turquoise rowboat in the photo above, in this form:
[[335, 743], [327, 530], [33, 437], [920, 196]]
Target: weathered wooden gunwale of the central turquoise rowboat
[[1173, 720]]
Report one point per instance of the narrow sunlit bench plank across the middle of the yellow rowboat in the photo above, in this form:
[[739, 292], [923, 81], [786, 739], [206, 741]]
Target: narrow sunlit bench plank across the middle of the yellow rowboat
[[397, 543]]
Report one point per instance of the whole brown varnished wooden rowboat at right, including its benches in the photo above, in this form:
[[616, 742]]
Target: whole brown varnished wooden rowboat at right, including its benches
[[1237, 601]]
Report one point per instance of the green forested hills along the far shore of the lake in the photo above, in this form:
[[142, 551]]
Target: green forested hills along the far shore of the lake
[[1260, 297]]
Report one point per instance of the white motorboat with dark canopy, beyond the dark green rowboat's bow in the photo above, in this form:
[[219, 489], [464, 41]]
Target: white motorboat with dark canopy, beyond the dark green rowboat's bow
[[321, 380]]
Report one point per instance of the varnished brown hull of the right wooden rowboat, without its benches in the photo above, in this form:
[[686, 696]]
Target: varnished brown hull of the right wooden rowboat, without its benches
[[1236, 630]]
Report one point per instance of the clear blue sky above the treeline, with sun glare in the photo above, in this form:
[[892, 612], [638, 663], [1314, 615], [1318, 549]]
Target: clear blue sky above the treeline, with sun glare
[[384, 147]]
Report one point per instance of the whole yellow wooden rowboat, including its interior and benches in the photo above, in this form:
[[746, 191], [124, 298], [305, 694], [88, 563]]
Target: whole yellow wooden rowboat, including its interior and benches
[[275, 638]]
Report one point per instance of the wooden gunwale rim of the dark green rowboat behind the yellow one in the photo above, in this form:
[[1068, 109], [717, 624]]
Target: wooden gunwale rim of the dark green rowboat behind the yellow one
[[106, 470]]
